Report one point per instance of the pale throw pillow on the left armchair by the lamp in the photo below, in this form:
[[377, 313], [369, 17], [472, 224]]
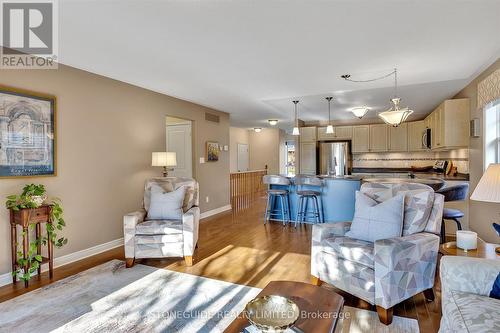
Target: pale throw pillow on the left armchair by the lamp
[[166, 205]]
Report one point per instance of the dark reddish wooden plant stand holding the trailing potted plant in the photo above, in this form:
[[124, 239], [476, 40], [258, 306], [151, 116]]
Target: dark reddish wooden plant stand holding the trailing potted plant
[[24, 217]]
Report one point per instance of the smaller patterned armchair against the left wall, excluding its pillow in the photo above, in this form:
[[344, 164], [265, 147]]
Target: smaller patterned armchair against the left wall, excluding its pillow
[[145, 238]]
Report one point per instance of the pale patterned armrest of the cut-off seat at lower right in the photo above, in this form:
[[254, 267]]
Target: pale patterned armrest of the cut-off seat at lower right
[[471, 275]]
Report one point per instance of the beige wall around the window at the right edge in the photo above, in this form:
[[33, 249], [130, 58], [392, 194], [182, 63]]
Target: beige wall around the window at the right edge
[[481, 214]]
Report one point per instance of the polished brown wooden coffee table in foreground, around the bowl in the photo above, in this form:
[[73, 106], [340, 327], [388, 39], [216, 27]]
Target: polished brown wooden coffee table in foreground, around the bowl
[[320, 308]]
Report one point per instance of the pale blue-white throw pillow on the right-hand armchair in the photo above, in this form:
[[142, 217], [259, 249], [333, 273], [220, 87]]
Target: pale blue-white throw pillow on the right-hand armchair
[[373, 220]]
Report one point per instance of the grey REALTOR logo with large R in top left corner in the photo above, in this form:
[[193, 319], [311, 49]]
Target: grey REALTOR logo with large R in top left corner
[[29, 34]]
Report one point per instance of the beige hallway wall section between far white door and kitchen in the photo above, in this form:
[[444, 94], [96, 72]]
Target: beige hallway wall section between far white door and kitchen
[[264, 150]]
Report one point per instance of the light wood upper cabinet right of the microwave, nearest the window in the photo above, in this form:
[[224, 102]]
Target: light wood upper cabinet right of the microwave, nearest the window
[[449, 124]]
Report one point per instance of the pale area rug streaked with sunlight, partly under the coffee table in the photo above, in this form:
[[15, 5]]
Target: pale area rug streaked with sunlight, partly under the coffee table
[[112, 298]]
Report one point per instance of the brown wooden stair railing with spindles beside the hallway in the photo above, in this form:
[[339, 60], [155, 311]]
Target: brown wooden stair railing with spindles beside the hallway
[[246, 187]]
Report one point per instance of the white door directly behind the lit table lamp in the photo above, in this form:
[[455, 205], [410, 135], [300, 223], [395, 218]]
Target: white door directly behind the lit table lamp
[[179, 140]]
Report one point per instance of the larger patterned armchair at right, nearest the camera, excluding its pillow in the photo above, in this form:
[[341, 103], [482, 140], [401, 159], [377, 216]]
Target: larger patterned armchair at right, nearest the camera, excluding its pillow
[[388, 271]]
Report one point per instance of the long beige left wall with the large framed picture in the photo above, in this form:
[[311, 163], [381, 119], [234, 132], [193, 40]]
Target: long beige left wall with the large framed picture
[[106, 131]]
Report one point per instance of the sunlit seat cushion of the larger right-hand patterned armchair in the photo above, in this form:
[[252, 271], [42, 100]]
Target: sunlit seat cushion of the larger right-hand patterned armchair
[[358, 251]]
